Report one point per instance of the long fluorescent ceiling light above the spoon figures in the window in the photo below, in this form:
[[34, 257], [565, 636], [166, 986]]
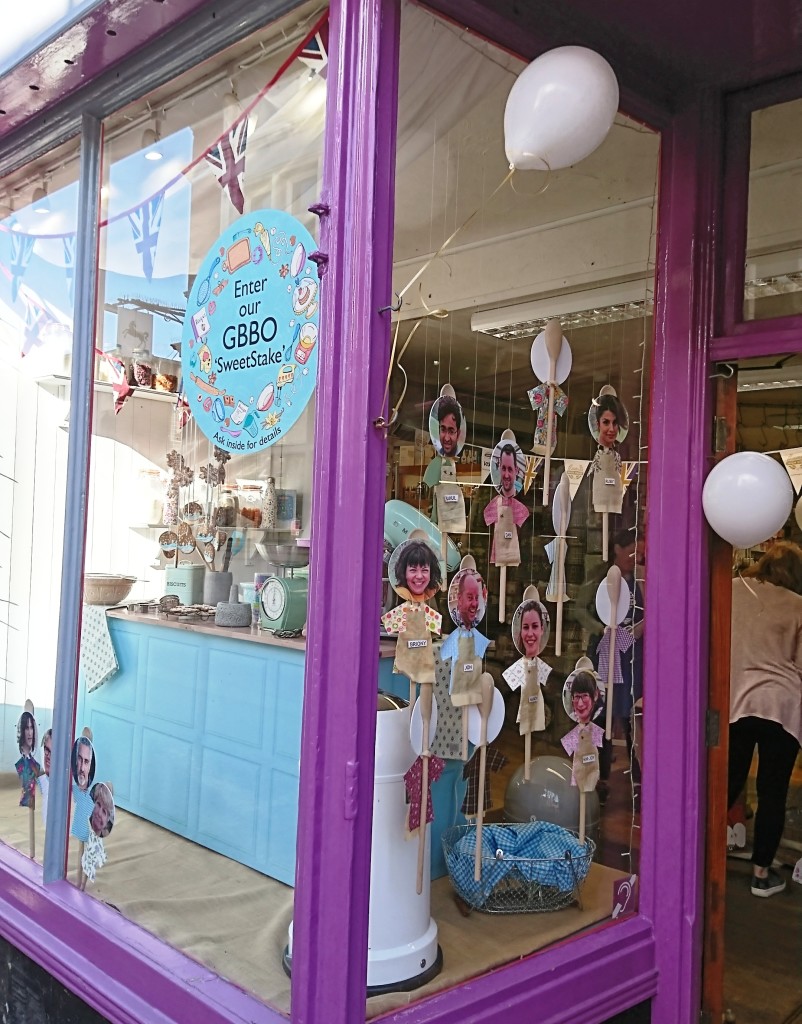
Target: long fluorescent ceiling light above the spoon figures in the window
[[595, 306]]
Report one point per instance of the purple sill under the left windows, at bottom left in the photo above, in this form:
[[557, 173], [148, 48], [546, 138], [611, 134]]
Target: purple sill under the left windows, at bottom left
[[114, 965]]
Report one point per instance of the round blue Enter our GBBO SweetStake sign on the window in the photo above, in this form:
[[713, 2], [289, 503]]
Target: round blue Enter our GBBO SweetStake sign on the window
[[249, 348]]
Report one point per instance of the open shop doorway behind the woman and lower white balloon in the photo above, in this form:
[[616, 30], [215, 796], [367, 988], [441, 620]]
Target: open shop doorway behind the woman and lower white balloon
[[752, 947]]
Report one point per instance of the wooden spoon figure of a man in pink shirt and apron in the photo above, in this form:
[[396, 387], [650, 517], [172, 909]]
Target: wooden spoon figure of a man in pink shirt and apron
[[505, 513]]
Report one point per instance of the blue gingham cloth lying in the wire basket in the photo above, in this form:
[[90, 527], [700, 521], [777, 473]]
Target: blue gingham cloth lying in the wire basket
[[534, 850]]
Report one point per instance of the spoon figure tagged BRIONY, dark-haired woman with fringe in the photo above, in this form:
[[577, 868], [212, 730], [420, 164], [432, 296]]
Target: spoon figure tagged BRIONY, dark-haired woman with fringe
[[415, 576]]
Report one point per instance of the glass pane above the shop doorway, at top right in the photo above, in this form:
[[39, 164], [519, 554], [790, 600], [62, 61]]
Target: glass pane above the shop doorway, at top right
[[774, 265]]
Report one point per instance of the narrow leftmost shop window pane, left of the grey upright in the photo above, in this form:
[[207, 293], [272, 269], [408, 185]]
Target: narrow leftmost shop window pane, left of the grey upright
[[39, 211]]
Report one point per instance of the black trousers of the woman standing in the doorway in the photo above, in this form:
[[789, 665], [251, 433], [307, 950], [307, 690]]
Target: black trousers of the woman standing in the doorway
[[777, 753]]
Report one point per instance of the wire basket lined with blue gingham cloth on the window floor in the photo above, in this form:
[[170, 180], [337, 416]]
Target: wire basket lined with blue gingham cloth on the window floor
[[527, 868]]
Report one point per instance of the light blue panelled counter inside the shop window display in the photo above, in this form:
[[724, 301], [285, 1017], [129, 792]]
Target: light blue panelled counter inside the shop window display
[[200, 733]]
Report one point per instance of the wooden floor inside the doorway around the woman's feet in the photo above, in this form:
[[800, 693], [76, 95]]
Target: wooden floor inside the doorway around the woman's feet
[[764, 937]]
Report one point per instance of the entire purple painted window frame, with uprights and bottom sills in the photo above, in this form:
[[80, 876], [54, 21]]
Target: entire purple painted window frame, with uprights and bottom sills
[[656, 954]]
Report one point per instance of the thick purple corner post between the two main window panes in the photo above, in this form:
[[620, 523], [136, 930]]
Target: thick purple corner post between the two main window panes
[[340, 726]]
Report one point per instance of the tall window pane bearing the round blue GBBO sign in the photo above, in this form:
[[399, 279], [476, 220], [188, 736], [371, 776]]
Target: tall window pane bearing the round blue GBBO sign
[[200, 503]]
